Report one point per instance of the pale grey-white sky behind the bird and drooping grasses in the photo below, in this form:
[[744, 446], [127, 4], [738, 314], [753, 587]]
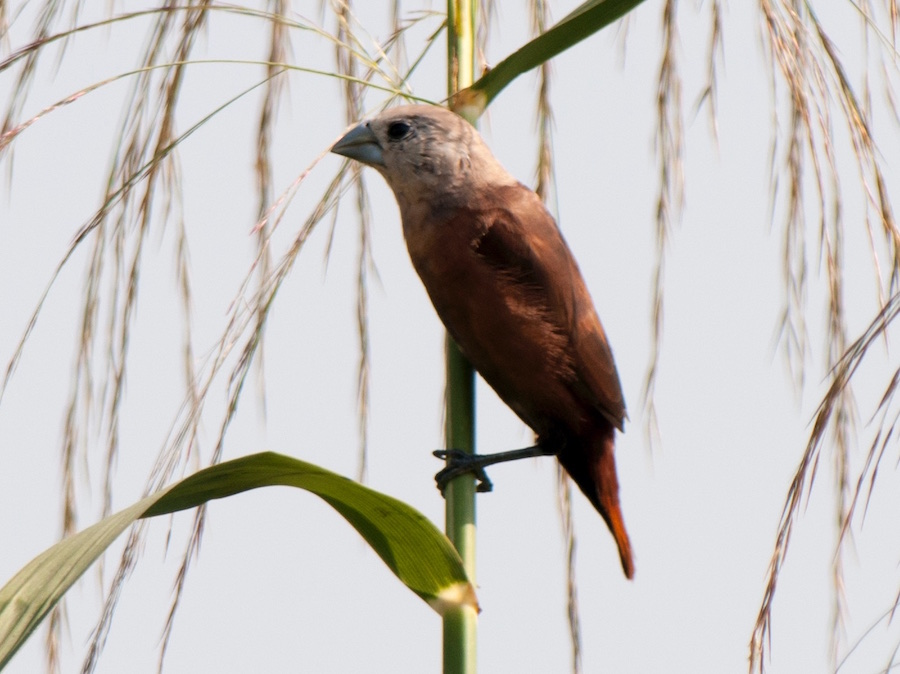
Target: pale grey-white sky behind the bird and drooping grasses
[[282, 584]]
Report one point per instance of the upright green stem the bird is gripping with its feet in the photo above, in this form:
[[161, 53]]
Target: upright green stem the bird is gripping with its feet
[[460, 625]]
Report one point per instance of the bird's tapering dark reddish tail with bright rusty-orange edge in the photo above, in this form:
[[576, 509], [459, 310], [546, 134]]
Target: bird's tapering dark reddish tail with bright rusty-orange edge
[[591, 463]]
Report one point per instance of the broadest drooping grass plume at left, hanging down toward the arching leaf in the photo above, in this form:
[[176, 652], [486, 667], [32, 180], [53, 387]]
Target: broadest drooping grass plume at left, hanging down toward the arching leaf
[[145, 149]]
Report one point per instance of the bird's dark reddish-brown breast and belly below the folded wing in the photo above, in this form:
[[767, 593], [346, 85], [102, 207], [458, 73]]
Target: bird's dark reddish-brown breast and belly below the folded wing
[[501, 328]]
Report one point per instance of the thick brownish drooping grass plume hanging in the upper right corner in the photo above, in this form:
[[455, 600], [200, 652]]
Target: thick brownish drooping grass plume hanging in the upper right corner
[[813, 75]]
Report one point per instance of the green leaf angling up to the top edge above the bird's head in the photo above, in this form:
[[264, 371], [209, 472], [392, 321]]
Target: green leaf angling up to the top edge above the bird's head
[[581, 23]]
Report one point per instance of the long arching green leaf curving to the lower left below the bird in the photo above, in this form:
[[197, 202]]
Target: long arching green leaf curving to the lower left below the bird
[[418, 554]]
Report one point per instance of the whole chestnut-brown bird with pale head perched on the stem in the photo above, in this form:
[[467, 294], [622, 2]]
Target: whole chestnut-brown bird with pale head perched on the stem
[[508, 290]]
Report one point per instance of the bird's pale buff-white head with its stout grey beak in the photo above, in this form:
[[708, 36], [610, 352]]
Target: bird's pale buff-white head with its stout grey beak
[[424, 152]]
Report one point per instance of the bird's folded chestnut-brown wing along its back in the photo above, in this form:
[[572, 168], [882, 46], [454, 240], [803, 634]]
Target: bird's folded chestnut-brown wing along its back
[[524, 243]]
